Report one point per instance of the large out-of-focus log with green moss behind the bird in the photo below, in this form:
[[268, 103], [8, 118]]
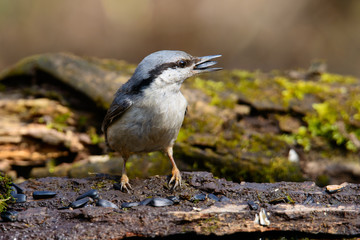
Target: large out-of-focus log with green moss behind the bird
[[240, 125]]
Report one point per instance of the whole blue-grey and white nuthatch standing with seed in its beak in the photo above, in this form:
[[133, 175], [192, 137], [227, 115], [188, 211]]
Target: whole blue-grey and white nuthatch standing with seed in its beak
[[149, 109]]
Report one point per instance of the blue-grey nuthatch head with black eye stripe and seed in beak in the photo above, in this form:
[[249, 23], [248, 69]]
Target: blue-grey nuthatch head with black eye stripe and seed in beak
[[166, 68]]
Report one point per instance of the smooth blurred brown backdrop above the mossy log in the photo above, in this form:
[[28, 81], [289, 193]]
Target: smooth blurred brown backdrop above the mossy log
[[250, 34]]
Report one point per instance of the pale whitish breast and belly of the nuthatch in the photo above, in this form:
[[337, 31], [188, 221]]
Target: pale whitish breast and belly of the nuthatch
[[151, 124]]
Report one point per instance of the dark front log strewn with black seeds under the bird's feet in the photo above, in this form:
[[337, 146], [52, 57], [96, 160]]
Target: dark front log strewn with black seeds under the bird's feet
[[238, 209]]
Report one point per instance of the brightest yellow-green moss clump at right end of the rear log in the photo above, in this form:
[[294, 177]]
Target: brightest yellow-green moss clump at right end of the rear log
[[332, 117]]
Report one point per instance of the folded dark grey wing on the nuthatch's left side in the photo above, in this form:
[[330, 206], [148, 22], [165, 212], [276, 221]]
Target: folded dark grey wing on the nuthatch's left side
[[116, 110]]
